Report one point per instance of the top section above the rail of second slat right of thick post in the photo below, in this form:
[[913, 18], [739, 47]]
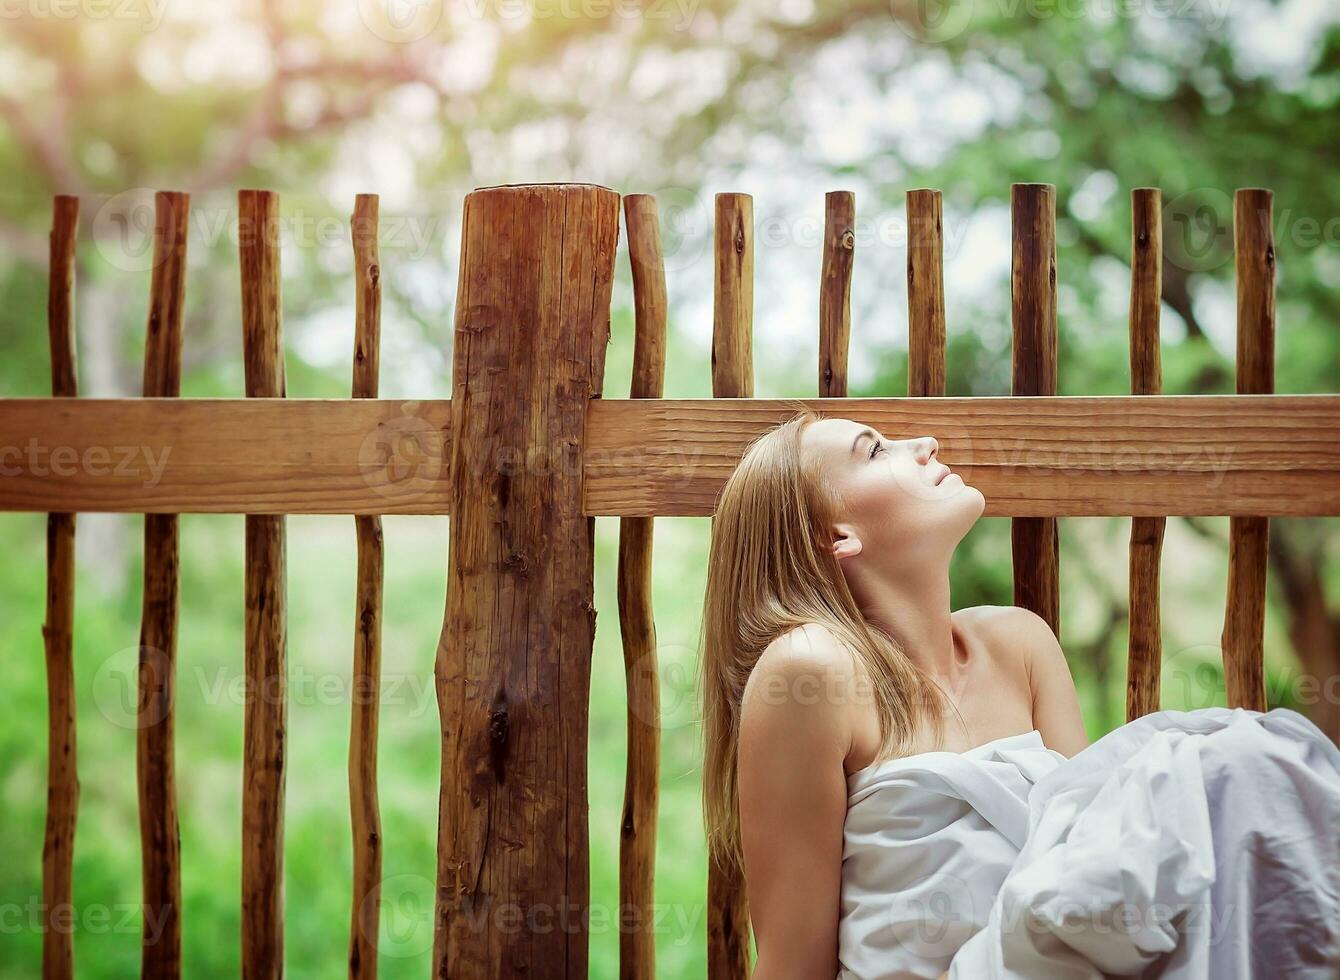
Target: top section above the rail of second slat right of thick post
[[732, 325]]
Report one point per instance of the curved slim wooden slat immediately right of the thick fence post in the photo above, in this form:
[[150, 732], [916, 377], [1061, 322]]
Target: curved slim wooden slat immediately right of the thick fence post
[[637, 621]]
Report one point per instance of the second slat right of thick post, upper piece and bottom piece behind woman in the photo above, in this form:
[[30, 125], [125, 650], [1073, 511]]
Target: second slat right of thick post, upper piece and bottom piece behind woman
[[732, 377]]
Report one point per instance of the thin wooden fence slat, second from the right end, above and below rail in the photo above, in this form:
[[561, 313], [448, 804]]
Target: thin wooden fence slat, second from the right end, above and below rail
[[1145, 650]]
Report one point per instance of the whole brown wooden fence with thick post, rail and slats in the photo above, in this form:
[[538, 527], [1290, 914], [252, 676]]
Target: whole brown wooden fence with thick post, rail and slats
[[523, 456]]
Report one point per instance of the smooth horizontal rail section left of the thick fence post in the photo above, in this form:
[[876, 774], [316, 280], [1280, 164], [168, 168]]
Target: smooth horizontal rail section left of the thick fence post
[[226, 455]]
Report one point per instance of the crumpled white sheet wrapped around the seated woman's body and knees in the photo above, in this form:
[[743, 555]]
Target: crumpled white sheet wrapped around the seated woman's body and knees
[[1183, 845]]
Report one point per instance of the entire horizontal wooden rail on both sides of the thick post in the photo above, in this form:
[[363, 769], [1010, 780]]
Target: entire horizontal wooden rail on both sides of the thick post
[[1268, 455]]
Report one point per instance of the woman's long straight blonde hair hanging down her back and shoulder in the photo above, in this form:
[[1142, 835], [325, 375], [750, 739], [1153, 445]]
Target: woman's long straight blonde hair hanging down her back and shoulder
[[768, 573]]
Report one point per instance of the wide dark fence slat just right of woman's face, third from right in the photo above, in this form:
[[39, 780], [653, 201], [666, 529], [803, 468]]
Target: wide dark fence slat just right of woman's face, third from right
[[1034, 317]]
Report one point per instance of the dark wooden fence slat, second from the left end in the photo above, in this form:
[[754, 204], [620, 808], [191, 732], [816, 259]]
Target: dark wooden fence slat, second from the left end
[[156, 743]]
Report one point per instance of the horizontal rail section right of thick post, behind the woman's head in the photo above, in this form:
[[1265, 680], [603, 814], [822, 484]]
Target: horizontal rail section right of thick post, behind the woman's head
[[1062, 455]]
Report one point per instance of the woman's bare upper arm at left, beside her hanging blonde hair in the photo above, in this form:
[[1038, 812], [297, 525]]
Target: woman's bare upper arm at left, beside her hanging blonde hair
[[795, 734]]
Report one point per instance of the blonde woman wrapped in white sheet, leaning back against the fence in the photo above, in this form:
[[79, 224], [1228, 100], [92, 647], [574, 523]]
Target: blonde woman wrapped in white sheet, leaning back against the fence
[[870, 755]]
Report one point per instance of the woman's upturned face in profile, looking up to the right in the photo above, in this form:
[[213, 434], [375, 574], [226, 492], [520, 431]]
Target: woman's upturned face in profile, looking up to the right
[[902, 503]]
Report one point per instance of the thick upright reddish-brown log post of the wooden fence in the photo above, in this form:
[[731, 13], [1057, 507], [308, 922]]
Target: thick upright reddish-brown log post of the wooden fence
[[514, 663]]
